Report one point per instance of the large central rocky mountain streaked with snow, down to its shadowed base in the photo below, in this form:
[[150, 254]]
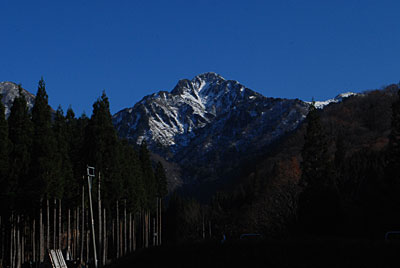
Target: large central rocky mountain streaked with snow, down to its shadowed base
[[207, 125]]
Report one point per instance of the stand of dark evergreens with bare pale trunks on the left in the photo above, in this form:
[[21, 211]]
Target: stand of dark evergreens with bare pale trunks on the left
[[44, 156]]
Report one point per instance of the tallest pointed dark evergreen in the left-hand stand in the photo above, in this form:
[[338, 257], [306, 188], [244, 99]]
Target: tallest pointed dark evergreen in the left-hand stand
[[43, 170]]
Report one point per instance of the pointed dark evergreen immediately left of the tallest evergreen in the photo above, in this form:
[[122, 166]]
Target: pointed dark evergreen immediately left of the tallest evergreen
[[20, 135]]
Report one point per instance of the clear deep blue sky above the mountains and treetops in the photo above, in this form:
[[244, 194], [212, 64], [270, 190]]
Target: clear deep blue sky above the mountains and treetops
[[291, 49]]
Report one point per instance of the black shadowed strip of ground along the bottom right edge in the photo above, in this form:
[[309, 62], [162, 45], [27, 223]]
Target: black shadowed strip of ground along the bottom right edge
[[320, 252]]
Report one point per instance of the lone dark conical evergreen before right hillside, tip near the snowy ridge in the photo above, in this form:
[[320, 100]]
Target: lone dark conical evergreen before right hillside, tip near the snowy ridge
[[319, 206]]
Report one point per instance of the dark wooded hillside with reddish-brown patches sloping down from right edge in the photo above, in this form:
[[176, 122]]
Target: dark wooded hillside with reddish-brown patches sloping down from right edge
[[336, 175]]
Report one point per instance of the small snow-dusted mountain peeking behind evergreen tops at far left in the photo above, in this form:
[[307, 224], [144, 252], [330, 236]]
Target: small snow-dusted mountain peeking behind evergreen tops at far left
[[9, 91]]
